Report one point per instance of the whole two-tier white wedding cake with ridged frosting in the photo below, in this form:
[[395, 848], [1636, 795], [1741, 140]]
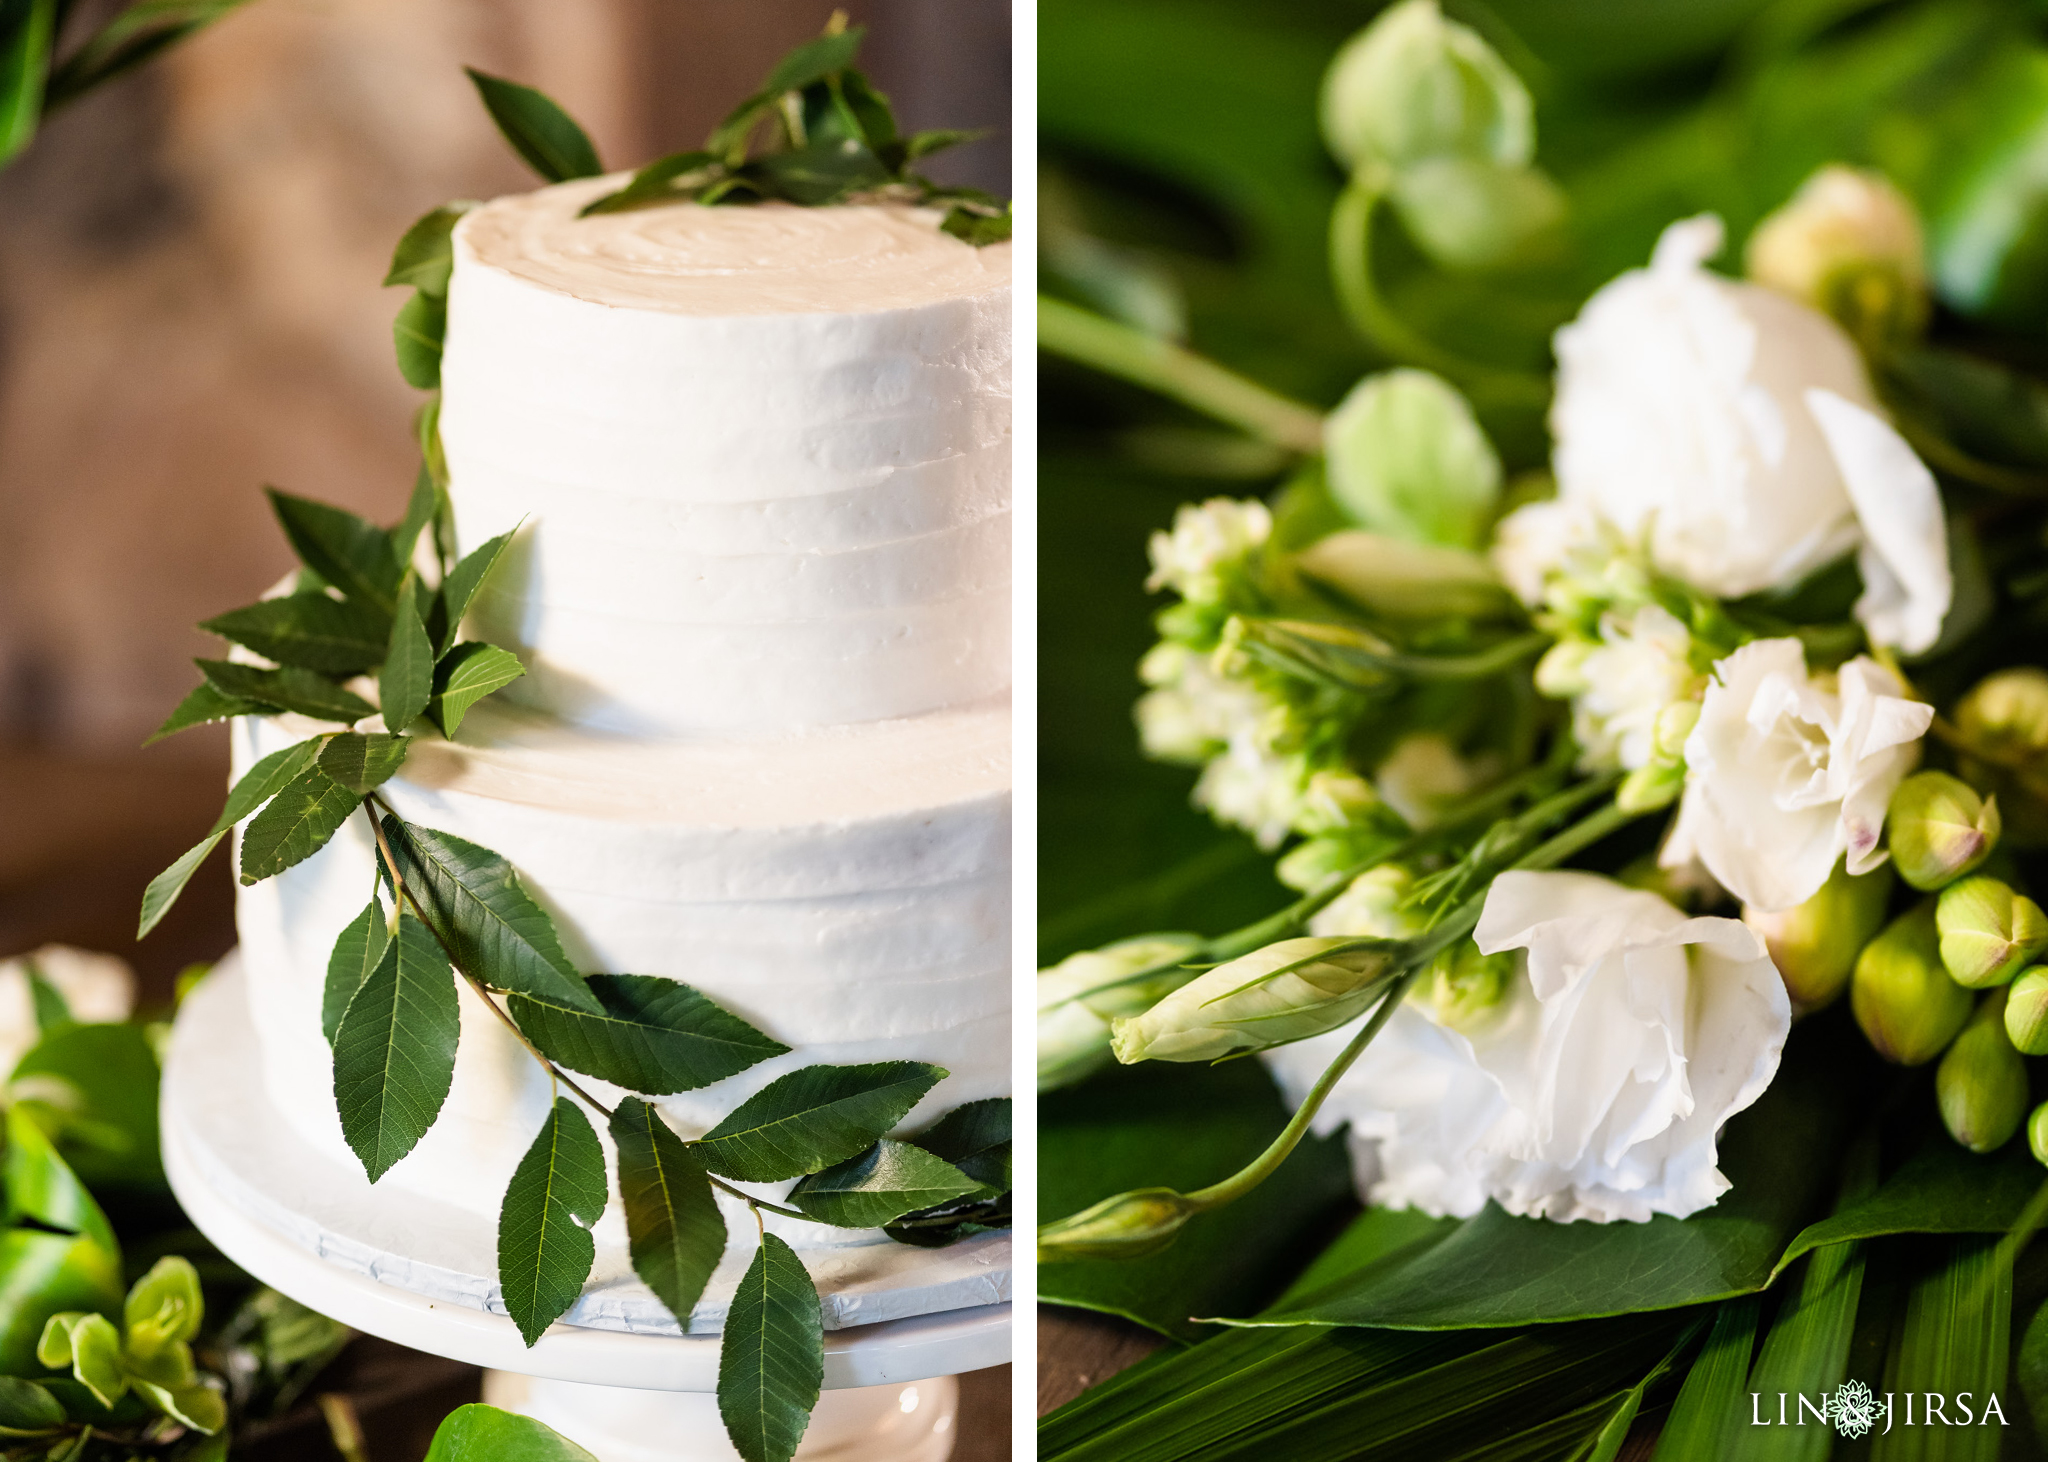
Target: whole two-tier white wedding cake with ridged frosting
[[759, 460]]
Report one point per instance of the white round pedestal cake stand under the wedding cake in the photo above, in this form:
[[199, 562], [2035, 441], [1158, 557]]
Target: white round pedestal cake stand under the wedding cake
[[628, 1397]]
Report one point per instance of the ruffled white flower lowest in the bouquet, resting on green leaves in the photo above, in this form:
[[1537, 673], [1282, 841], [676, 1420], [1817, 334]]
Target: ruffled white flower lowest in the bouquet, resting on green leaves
[[1596, 1090]]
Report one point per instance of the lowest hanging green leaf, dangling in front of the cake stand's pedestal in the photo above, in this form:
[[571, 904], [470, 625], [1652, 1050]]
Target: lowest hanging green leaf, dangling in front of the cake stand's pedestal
[[773, 1357]]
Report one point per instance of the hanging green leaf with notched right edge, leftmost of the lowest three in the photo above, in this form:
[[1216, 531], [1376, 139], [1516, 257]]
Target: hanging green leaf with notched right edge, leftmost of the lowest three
[[544, 1228]]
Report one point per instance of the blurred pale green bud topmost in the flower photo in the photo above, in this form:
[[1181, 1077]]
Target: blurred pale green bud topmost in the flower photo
[[1414, 87]]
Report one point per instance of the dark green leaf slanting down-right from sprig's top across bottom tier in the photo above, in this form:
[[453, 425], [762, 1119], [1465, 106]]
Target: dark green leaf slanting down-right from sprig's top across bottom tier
[[495, 929]]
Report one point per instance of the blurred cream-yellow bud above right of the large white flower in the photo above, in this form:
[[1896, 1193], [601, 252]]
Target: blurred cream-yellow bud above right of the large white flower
[[1848, 245]]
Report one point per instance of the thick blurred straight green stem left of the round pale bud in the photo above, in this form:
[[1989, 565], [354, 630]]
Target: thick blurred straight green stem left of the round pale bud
[[1183, 376]]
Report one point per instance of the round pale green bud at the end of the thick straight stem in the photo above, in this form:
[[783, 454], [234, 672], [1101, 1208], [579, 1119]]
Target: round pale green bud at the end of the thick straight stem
[[1408, 460]]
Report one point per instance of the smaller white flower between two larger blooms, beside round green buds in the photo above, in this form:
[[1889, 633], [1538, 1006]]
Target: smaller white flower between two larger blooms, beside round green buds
[[1787, 773]]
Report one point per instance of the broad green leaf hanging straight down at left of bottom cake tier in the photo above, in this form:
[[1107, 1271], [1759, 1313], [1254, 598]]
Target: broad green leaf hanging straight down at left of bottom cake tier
[[394, 1051]]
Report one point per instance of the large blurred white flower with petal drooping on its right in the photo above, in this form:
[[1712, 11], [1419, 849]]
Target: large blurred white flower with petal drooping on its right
[[1734, 431]]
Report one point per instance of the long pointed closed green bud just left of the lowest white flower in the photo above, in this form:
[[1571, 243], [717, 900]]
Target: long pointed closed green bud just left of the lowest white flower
[[1285, 992]]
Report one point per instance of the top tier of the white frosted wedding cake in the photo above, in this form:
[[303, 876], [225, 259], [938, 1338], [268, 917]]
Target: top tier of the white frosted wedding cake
[[761, 456]]
